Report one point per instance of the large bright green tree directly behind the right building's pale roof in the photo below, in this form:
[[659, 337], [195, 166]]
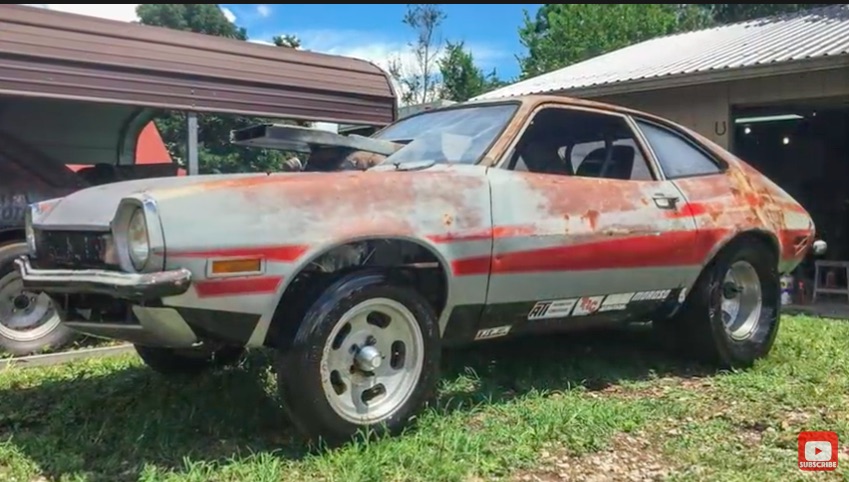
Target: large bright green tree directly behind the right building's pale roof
[[563, 34]]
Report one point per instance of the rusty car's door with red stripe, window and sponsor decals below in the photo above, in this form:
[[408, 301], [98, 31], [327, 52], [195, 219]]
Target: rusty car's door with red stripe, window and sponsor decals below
[[582, 231]]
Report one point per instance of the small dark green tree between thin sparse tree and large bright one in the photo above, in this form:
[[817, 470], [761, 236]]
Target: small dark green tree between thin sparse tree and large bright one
[[461, 78]]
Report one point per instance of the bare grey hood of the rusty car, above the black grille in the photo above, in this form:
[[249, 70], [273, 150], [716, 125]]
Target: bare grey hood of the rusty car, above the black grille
[[94, 207]]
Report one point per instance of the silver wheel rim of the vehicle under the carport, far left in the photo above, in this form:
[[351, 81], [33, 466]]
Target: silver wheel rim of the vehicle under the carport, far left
[[24, 315]]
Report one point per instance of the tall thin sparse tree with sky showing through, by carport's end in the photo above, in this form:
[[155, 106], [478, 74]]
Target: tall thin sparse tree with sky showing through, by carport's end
[[419, 86]]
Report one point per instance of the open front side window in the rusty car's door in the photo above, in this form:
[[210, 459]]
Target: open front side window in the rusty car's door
[[579, 143]]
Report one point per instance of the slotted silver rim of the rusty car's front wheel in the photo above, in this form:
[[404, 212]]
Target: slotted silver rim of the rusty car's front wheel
[[372, 361]]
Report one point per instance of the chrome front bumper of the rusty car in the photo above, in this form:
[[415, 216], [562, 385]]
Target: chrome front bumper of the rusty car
[[129, 286]]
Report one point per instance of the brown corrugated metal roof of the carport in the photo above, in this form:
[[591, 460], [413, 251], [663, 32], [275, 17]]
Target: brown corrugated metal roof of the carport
[[55, 54]]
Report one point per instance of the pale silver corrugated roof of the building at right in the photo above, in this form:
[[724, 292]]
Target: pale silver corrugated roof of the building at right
[[816, 33]]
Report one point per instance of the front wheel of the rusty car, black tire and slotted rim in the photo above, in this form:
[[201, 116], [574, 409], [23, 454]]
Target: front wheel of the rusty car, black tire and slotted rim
[[365, 356]]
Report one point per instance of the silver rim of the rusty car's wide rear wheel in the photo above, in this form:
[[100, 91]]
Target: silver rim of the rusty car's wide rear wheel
[[742, 300]]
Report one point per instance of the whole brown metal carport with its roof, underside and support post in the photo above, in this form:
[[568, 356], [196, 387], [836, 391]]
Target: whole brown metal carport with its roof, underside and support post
[[67, 81]]
